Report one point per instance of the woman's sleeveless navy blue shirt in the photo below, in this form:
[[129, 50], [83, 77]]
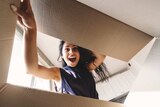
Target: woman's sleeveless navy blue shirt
[[78, 82]]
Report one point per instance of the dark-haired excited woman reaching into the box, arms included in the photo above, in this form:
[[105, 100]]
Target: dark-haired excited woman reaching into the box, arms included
[[78, 62]]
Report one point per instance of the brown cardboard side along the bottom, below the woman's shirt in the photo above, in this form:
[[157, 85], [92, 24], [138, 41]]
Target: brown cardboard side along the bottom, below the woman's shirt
[[13, 96]]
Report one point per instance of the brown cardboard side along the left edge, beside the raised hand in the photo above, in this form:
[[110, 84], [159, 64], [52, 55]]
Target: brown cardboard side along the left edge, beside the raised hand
[[7, 29]]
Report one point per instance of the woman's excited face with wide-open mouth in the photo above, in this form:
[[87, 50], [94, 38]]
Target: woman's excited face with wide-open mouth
[[70, 54]]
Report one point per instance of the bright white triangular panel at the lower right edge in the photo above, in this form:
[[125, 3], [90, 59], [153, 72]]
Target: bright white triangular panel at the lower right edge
[[146, 89]]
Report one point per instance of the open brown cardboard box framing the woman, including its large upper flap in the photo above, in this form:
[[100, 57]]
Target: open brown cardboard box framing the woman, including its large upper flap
[[71, 21]]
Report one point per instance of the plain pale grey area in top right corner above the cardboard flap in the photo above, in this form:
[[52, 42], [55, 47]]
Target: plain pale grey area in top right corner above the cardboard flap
[[141, 14]]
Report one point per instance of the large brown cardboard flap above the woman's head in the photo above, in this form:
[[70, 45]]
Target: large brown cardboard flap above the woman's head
[[74, 22]]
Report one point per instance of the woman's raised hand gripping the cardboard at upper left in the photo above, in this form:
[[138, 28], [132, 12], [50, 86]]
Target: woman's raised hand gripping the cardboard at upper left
[[25, 14]]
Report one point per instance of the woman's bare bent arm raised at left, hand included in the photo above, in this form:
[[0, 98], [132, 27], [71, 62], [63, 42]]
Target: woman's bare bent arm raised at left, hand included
[[27, 21]]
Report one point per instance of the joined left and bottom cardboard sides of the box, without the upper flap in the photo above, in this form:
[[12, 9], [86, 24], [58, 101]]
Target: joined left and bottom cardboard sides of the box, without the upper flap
[[14, 96]]
